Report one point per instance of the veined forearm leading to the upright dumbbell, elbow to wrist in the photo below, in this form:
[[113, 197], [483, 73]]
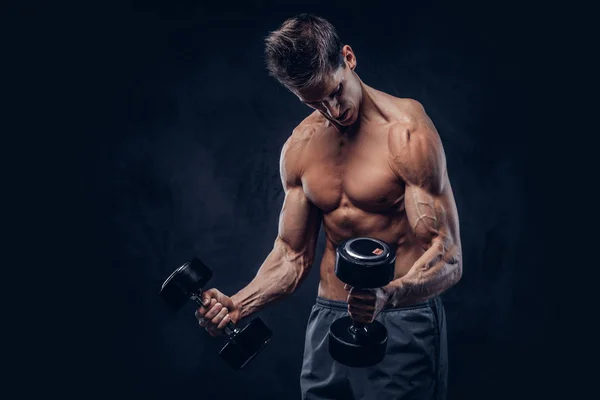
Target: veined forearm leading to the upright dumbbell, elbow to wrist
[[438, 269]]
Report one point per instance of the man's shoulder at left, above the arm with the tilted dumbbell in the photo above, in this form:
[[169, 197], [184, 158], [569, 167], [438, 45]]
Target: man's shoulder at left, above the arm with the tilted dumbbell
[[292, 152]]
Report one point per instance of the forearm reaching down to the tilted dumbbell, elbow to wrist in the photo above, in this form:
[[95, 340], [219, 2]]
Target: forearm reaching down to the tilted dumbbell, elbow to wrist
[[279, 275]]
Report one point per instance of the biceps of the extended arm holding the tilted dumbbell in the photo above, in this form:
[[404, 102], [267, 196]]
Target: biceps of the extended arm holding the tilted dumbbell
[[299, 222]]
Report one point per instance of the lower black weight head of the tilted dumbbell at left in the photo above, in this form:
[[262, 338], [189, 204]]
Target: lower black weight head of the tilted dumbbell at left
[[244, 346]]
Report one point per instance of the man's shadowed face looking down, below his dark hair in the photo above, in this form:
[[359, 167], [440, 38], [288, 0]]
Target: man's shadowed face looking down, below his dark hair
[[337, 96]]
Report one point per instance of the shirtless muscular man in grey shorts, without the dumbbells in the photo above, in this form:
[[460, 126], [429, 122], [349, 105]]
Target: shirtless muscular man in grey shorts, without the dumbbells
[[364, 163]]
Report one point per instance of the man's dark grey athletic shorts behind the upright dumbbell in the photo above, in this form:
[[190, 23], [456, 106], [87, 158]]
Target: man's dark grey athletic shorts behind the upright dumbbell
[[415, 365]]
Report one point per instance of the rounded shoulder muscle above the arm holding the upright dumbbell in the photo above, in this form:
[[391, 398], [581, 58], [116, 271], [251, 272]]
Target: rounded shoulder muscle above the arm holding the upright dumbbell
[[415, 148]]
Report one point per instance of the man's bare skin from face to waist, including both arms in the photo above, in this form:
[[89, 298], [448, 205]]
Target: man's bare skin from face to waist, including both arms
[[364, 163]]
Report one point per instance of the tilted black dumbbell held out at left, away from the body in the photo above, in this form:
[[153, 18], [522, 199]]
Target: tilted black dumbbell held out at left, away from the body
[[186, 283]]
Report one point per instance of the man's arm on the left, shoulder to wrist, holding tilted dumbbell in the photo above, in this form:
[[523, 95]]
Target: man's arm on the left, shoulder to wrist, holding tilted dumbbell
[[294, 249]]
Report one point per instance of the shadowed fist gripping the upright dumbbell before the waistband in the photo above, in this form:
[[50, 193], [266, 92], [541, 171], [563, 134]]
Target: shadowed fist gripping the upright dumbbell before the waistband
[[365, 304]]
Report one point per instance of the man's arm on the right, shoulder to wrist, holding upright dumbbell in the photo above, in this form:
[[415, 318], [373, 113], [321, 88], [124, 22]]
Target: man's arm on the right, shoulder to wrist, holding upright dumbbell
[[417, 158]]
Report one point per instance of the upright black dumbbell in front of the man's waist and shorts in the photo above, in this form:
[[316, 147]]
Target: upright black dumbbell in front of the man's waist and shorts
[[362, 263]]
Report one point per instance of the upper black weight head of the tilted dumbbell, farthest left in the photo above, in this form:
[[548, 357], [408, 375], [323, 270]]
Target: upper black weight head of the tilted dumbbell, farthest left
[[184, 282]]
